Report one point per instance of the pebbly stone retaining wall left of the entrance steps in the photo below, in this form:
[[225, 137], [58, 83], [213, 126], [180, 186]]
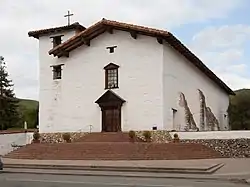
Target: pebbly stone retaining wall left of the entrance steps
[[58, 137]]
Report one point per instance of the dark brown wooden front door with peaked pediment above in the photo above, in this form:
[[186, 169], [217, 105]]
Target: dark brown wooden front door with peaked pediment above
[[110, 104]]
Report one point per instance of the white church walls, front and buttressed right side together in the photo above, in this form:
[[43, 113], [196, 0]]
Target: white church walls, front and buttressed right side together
[[150, 77]]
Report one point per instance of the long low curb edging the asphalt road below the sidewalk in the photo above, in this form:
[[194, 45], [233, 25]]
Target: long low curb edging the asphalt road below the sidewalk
[[234, 180]]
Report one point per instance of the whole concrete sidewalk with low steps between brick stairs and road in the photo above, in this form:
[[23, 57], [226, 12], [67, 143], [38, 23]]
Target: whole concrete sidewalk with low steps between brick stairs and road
[[236, 169]]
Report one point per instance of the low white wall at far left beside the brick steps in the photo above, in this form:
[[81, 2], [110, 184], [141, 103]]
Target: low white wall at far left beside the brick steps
[[7, 140]]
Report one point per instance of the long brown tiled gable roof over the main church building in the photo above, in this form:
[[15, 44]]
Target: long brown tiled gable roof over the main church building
[[107, 25]]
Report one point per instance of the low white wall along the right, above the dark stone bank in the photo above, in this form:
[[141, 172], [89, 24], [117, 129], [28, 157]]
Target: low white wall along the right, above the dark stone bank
[[212, 135]]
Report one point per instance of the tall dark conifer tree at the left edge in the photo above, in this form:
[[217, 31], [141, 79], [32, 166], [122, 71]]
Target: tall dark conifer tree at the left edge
[[9, 116]]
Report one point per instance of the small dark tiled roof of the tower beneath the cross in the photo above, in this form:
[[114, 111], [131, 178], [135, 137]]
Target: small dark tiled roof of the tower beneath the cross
[[38, 33]]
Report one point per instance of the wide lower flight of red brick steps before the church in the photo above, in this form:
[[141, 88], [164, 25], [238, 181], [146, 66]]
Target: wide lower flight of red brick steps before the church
[[114, 151]]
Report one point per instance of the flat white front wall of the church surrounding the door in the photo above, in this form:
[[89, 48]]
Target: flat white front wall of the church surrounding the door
[[69, 104]]
